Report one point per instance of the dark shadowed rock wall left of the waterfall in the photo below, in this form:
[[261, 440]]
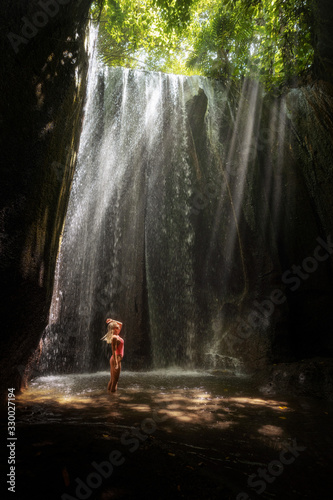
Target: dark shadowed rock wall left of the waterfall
[[44, 65]]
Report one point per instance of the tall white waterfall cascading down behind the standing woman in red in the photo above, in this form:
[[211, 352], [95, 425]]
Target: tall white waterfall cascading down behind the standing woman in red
[[147, 225]]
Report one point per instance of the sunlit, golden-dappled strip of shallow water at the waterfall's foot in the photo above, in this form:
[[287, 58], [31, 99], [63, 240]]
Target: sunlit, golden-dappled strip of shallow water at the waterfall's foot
[[196, 398]]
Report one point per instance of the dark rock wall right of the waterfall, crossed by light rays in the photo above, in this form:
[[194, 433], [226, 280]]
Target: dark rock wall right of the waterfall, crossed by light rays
[[287, 228]]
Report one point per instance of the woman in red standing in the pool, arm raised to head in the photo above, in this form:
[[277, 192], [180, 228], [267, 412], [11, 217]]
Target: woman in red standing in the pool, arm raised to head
[[117, 343]]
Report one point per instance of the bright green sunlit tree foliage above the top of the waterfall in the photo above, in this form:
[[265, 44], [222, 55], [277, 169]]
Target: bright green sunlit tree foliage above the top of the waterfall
[[271, 40]]
